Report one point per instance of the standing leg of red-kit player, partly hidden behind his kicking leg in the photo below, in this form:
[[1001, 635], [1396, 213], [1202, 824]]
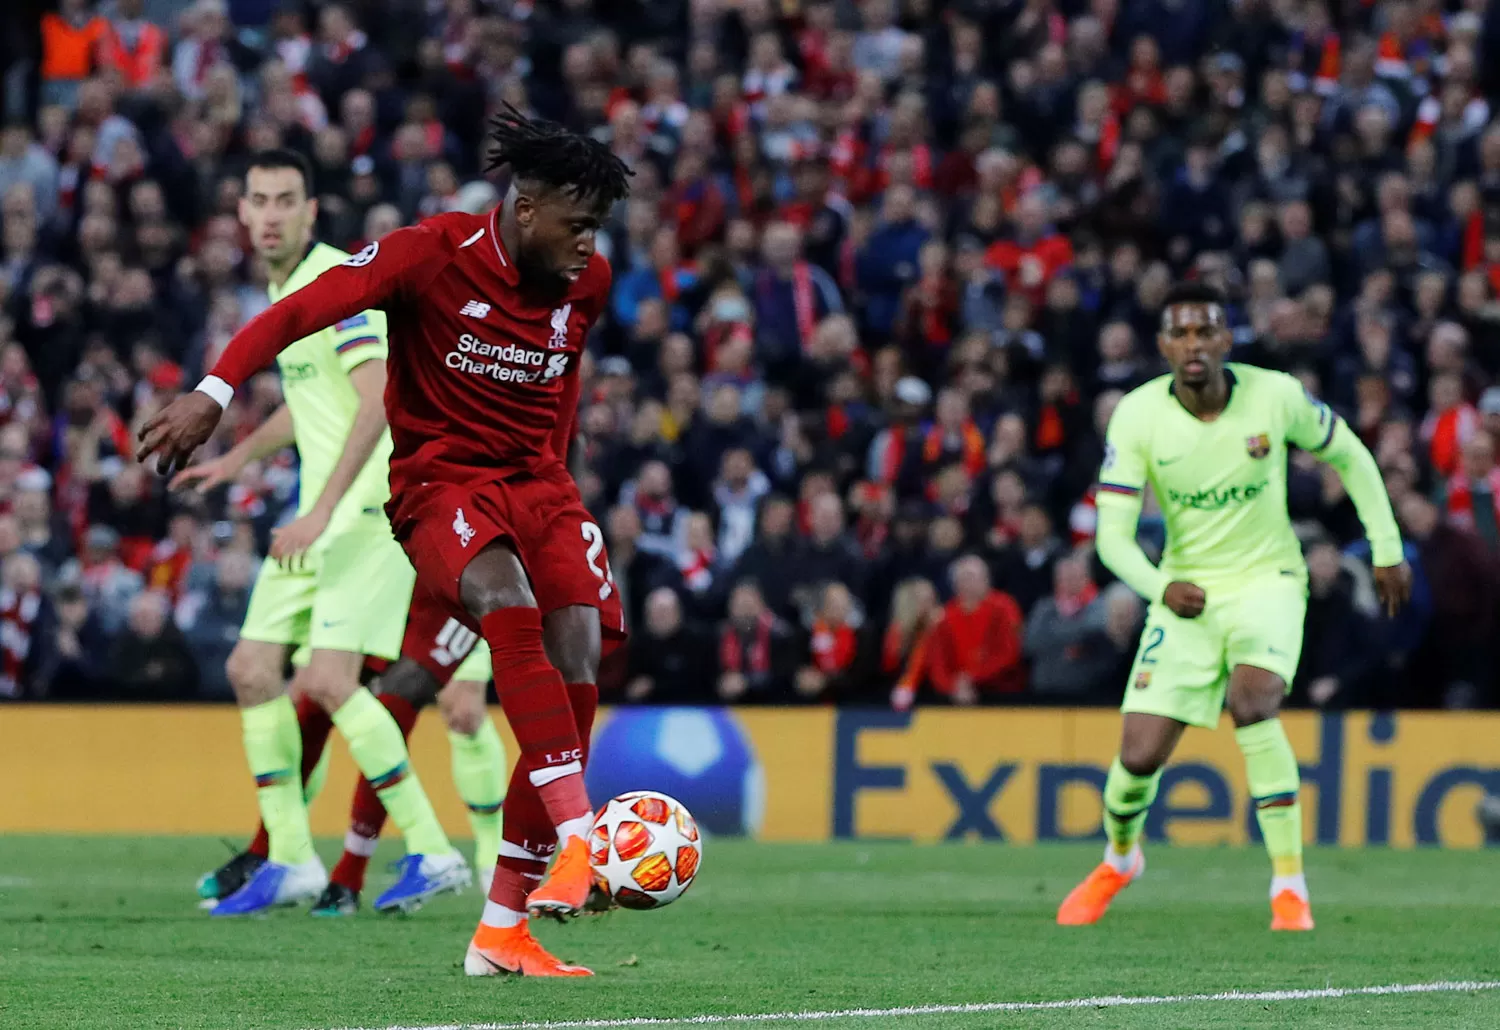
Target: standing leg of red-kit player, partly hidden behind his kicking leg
[[503, 942]]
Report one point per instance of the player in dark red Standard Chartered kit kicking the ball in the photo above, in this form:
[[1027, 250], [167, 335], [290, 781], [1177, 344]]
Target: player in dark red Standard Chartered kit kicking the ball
[[487, 323]]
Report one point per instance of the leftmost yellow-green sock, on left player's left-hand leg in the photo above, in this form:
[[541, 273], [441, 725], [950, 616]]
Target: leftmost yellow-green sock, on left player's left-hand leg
[[274, 750]]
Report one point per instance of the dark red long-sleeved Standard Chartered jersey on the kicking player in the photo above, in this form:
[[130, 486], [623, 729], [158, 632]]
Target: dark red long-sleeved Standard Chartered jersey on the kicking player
[[482, 383]]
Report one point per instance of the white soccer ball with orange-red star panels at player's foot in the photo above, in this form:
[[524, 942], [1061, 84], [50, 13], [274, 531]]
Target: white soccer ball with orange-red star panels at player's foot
[[646, 849]]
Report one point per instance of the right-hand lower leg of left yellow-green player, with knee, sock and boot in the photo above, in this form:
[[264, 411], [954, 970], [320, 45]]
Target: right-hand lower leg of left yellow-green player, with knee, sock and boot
[[380, 752]]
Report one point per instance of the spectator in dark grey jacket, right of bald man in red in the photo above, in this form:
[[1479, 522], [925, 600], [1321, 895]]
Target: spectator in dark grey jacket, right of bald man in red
[[1067, 639]]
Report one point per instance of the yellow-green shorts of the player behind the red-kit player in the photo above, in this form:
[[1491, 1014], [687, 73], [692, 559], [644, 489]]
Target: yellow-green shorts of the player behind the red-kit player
[[352, 596]]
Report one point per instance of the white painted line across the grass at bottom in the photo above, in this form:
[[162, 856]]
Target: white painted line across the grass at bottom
[[1108, 1002]]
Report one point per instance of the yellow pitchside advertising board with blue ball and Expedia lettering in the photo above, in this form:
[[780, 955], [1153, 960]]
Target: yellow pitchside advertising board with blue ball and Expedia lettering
[[1016, 776]]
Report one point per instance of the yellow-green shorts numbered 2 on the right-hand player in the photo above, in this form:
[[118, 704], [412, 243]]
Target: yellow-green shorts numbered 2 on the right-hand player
[[1183, 666]]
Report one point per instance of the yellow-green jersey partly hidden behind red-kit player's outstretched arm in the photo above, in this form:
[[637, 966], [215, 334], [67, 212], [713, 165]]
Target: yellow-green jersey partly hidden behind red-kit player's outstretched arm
[[323, 403]]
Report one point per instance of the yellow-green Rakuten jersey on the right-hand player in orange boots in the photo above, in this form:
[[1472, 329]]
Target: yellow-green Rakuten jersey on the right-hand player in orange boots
[[1222, 485]]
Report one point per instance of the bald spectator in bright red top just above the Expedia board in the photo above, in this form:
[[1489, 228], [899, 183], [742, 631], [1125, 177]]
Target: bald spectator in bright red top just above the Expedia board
[[977, 648]]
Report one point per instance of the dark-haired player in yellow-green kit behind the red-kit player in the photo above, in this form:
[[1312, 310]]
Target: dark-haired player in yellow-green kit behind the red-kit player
[[337, 581]]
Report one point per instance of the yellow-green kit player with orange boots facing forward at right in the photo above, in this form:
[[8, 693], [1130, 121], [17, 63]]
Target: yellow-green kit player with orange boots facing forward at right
[[1225, 627]]
